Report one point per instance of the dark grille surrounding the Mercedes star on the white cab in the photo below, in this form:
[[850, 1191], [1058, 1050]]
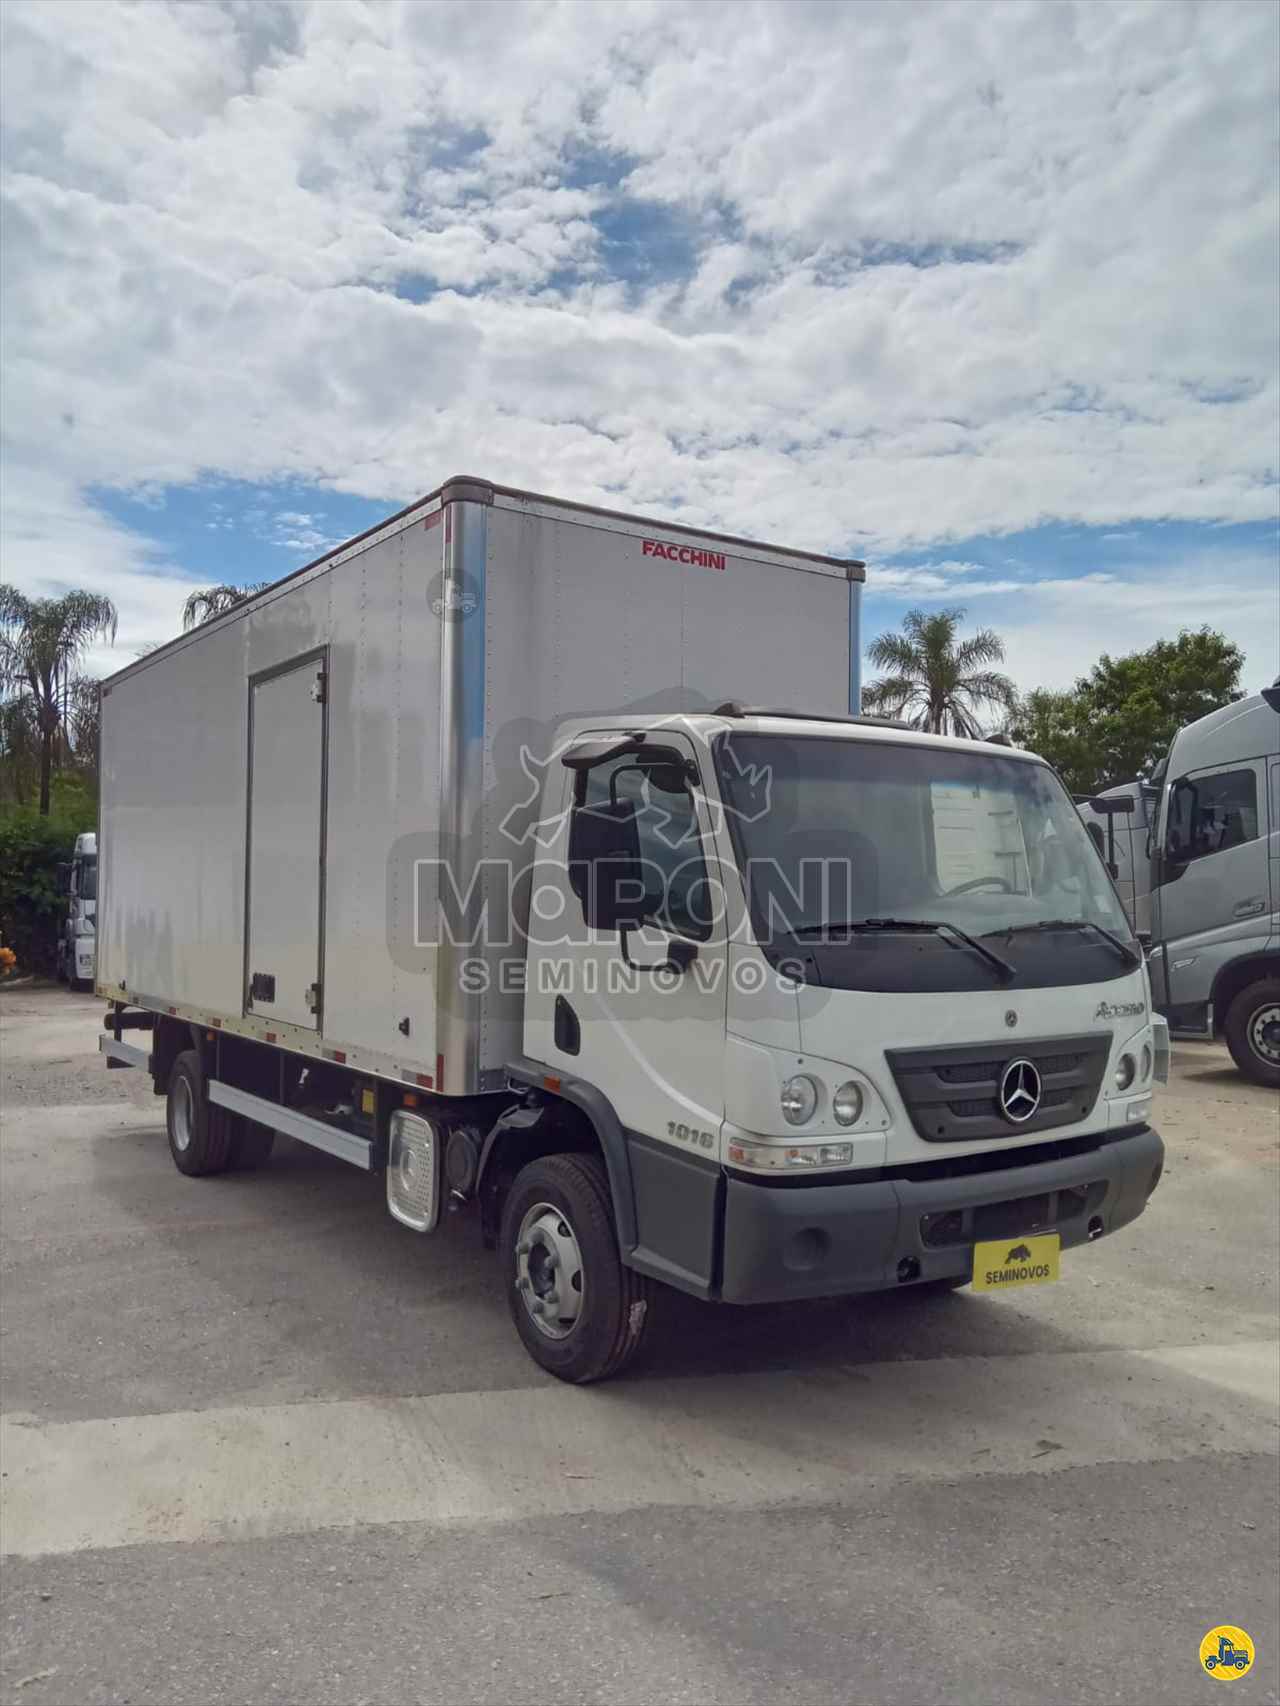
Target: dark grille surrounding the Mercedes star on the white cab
[[953, 1096]]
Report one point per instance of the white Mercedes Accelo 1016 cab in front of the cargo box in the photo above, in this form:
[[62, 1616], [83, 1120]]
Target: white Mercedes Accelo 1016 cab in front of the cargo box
[[849, 1001]]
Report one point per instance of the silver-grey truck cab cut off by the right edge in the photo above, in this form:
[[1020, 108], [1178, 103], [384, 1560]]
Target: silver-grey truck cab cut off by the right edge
[[1216, 885]]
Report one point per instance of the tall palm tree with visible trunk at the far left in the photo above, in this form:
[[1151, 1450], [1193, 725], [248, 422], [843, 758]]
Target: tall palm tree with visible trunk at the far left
[[42, 644]]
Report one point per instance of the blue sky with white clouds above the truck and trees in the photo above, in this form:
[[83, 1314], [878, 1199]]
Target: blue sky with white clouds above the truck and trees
[[986, 294]]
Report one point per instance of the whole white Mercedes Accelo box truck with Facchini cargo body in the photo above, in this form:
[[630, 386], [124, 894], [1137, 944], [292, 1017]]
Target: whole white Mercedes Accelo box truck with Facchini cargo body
[[467, 856]]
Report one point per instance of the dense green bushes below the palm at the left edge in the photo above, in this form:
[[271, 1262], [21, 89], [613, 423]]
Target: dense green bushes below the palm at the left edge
[[32, 849]]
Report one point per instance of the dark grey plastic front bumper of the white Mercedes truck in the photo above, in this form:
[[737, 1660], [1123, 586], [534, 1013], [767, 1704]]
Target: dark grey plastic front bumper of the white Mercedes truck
[[887, 1233]]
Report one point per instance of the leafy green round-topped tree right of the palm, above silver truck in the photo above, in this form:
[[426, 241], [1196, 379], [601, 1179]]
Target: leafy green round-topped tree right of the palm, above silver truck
[[1117, 722]]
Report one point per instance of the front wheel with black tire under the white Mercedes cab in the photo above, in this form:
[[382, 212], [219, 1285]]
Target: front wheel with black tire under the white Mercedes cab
[[579, 1313]]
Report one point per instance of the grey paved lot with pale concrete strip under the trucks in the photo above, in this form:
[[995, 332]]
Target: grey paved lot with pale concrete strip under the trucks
[[262, 1444]]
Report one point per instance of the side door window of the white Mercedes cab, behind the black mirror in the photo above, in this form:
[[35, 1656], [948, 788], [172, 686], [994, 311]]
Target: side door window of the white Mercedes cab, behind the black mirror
[[675, 869]]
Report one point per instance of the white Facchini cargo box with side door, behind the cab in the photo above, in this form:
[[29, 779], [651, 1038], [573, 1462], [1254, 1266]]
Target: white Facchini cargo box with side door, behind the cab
[[282, 787]]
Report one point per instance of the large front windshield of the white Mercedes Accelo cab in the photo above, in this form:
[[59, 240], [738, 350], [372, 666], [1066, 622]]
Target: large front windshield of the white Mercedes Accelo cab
[[832, 833]]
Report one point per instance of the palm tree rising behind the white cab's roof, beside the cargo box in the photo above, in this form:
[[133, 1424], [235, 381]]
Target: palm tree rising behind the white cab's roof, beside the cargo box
[[936, 683]]
